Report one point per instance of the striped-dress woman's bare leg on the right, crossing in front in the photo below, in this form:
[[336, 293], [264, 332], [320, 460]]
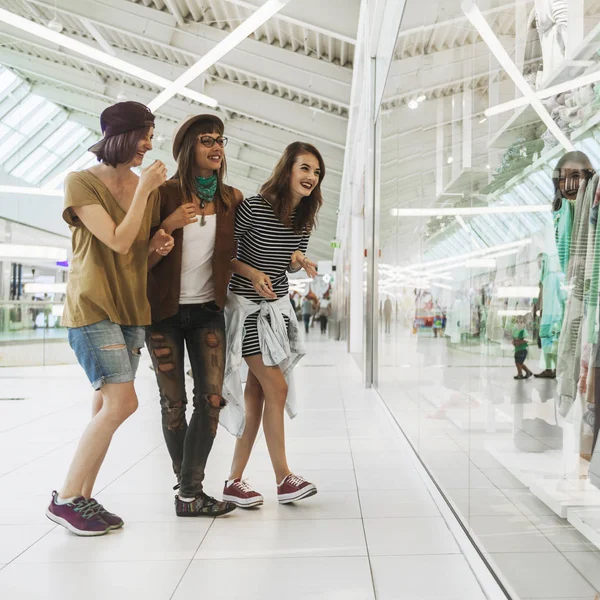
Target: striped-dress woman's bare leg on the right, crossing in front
[[275, 391]]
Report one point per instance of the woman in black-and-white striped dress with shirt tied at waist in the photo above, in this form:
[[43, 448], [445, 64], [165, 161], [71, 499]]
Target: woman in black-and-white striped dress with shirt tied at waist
[[272, 230]]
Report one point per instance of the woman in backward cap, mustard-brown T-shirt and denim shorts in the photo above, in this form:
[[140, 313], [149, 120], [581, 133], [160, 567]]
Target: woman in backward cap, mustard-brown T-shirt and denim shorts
[[110, 211]]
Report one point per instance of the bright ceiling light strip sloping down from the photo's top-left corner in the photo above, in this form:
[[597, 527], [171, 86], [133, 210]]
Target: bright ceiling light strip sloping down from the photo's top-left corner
[[99, 56]]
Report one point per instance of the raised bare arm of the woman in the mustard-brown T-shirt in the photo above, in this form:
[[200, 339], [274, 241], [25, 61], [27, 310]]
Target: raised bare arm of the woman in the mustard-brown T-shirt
[[120, 238]]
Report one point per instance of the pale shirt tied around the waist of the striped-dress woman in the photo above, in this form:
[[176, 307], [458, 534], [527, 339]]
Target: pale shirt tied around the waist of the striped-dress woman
[[278, 347]]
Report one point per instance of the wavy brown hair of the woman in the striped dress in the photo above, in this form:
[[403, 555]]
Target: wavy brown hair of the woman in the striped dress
[[276, 190]]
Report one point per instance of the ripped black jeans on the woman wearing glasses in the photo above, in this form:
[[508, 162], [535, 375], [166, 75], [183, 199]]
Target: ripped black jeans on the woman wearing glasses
[[202, 328]]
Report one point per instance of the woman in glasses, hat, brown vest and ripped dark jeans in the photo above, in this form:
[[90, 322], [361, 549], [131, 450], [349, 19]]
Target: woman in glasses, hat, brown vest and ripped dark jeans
[[187, 293]]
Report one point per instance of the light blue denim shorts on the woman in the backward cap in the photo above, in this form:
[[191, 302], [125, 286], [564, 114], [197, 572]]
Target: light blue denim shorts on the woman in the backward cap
[[108, 353]]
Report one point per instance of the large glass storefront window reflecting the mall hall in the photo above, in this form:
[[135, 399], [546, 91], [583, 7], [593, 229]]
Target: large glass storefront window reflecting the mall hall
[[488, 279]]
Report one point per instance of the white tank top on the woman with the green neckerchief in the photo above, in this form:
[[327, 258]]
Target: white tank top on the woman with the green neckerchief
[[197, 285]]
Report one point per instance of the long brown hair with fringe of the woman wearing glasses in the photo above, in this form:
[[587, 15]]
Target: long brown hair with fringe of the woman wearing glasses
[[186, 160]]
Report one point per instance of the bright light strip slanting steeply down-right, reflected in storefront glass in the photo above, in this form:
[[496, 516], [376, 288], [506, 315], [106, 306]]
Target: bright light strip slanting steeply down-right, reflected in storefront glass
[[478, 21]]
